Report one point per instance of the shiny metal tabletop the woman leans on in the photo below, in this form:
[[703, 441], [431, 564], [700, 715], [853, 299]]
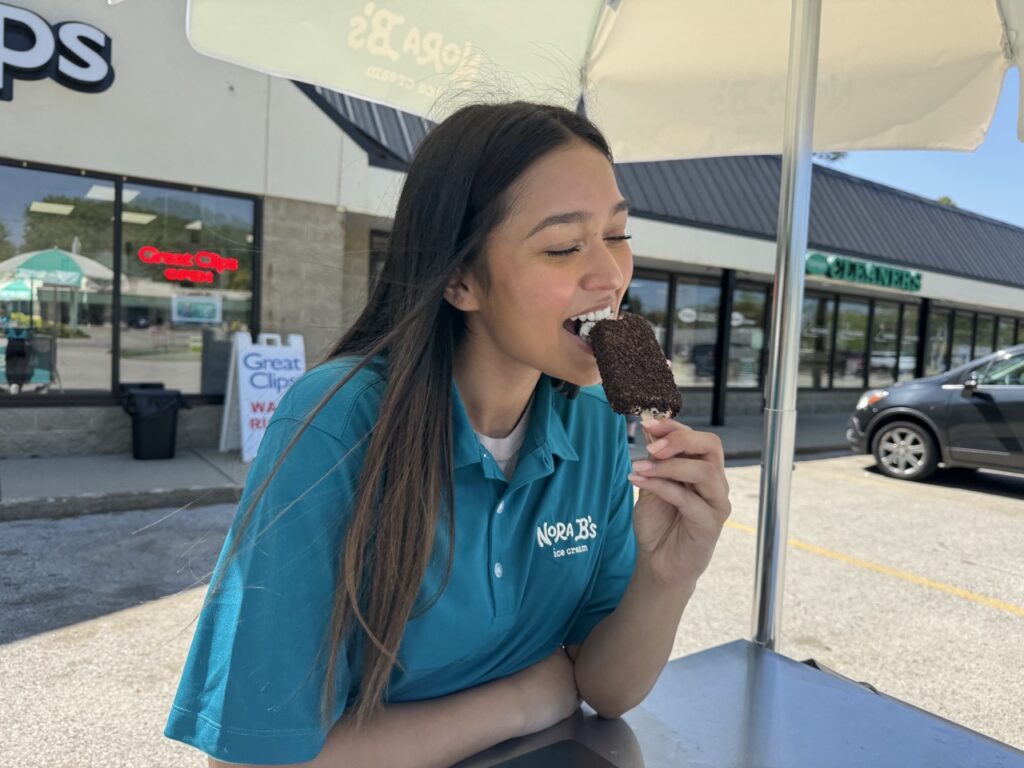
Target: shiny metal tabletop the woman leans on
[[741, 706]]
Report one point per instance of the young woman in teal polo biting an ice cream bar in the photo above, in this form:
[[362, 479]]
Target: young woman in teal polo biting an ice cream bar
[[438, 547]]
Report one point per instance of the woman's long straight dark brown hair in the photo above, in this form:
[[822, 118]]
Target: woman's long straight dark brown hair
[[457, 191]]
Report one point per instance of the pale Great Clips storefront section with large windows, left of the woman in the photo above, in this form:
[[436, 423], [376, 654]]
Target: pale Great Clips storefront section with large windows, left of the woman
[[151, 209]]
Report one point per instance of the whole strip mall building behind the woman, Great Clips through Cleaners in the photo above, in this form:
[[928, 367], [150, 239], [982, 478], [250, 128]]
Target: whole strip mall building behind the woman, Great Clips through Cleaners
[[155, 207]]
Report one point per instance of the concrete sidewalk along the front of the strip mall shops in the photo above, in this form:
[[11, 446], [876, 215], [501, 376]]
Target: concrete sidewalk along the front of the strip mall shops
[[74, 486]]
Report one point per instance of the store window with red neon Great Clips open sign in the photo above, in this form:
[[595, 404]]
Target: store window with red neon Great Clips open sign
[[189, 261]]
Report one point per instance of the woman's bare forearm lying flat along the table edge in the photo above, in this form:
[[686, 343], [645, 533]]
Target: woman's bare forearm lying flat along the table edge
[[438, 733]]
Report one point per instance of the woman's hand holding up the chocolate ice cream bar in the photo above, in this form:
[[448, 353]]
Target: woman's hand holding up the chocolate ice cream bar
[[684, 503]]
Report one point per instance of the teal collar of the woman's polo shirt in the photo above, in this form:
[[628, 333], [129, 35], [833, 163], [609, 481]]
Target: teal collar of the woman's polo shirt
[[546, 433]]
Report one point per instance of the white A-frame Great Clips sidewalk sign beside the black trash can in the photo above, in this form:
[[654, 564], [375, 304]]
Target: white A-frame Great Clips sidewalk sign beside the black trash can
[[259, 376]]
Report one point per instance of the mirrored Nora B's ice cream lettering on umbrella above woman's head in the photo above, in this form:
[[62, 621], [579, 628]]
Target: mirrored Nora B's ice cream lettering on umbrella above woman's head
[[385, 34]]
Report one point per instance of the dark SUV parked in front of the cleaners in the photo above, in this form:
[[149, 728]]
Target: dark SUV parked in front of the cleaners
[[972, 417]]
